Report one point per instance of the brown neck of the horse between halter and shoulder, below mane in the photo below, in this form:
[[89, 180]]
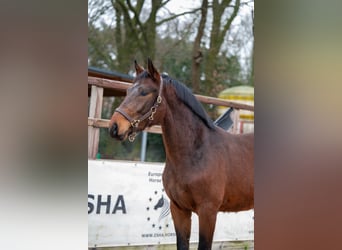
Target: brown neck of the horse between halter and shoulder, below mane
[[183, 131]]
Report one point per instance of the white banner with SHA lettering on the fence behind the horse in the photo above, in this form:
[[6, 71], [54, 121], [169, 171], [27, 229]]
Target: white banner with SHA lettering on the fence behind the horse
[[127, 205]]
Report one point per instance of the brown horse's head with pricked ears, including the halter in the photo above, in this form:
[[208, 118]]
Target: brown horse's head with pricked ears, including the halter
[[141, 106]]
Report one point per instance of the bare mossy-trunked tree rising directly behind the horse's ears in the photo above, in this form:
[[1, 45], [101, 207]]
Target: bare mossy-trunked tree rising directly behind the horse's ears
[[135, 28]]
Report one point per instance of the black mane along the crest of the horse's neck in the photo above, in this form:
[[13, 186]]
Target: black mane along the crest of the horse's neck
[[187, 97]]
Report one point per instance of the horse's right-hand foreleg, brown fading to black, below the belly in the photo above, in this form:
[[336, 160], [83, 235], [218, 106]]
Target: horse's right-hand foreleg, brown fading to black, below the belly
[[207, 221]]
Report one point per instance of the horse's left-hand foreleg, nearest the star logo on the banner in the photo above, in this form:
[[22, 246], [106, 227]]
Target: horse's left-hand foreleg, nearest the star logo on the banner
[[182, 221]]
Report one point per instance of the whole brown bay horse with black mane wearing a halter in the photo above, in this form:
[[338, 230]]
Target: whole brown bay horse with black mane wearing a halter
[[207, 170]]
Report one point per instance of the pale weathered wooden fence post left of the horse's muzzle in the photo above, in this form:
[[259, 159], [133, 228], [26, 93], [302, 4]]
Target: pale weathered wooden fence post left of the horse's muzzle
[[95, 109]]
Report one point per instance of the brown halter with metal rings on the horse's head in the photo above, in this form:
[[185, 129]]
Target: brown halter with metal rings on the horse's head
[[135, 122]]
